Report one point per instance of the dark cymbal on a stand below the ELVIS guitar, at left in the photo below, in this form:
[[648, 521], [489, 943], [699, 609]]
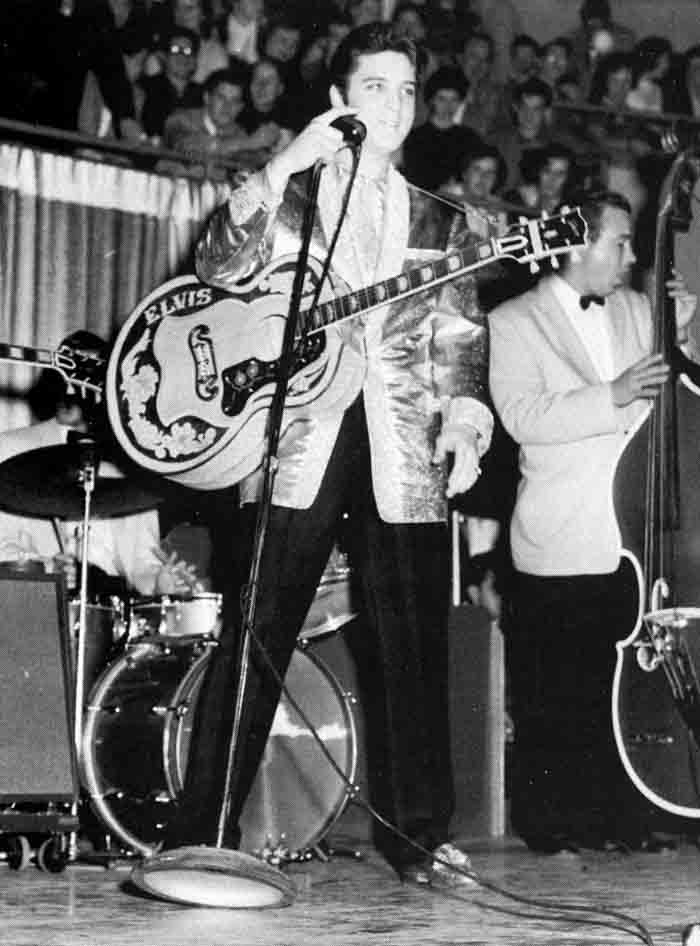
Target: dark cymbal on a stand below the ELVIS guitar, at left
[[47, 483]]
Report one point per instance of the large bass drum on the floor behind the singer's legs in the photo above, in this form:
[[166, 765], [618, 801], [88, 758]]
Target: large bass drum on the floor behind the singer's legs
[[136, 742]]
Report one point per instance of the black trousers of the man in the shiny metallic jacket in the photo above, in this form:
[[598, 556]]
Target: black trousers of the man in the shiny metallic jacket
[[403, 576]]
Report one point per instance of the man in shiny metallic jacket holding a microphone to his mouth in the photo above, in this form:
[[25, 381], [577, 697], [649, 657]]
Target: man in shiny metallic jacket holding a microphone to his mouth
[[412, 395]]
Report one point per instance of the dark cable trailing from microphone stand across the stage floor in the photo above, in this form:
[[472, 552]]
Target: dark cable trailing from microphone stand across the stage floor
[[566, 912]]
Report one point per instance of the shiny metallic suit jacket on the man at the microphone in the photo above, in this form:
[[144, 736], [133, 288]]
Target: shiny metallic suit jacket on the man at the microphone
[[419, 363]]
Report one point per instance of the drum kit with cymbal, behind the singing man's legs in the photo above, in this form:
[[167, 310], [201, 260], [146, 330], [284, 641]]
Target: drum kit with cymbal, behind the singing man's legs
[[138, 667]]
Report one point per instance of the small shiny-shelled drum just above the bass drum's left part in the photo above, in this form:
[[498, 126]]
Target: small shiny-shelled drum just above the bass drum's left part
[[176, 616]]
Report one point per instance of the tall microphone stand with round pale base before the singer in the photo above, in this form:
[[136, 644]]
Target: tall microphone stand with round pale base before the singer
[[173, 874]]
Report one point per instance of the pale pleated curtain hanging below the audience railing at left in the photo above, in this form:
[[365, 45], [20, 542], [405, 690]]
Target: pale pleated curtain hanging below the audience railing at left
[[82, 244]]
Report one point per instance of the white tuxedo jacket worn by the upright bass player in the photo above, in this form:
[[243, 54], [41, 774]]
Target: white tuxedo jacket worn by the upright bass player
[[555, 405]]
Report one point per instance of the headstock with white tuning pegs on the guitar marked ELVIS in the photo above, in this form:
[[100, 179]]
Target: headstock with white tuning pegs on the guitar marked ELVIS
[[543, 237]]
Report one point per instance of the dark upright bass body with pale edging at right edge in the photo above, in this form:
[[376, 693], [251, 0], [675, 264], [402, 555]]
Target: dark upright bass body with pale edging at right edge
[[655, 739]]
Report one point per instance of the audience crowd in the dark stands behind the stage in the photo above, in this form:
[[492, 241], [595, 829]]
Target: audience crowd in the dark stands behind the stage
[[231, 81]]
